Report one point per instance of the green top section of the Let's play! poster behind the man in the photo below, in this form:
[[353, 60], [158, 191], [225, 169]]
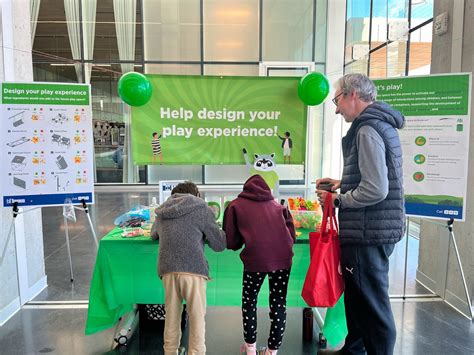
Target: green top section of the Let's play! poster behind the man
[[426, 96]]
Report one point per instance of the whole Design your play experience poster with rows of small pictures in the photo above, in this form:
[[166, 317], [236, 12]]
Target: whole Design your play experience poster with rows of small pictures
[[47, 144]]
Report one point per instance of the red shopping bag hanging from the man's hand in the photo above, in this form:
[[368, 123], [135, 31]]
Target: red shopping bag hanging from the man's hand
[[324, 284]]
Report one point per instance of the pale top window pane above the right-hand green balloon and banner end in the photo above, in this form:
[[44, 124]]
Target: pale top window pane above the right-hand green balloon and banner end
[[287, 30]]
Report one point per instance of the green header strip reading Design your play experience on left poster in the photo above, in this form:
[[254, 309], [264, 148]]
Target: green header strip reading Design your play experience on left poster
[[41, 94]]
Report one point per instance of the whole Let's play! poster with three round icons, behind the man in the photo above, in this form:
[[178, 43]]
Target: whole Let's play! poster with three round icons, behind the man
[[435, 141]]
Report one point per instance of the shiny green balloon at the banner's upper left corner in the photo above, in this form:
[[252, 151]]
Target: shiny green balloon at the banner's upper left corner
[[135, 89]]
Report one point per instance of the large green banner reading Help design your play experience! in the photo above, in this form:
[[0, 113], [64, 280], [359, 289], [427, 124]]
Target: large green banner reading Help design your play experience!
[[208, 120]]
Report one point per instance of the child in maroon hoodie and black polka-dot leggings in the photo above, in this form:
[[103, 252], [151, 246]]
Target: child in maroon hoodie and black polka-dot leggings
[[265, 229]]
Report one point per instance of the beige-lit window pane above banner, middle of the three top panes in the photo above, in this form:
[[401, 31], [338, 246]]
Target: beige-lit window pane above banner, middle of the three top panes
[[231, 30]]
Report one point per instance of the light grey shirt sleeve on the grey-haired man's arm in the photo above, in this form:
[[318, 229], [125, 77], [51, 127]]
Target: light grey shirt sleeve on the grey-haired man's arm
[[373, 186]]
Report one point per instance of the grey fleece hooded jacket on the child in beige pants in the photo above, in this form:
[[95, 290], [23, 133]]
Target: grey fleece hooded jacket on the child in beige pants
[[183, 223]]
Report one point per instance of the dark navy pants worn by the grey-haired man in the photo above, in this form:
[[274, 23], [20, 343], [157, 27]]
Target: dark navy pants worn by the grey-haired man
[[369, 316]]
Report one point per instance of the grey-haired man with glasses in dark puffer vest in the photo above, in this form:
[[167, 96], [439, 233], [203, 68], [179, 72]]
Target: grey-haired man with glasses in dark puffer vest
[[371, 212]]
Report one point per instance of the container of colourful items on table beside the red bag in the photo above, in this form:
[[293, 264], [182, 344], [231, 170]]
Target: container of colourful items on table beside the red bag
[[306, 214]]
